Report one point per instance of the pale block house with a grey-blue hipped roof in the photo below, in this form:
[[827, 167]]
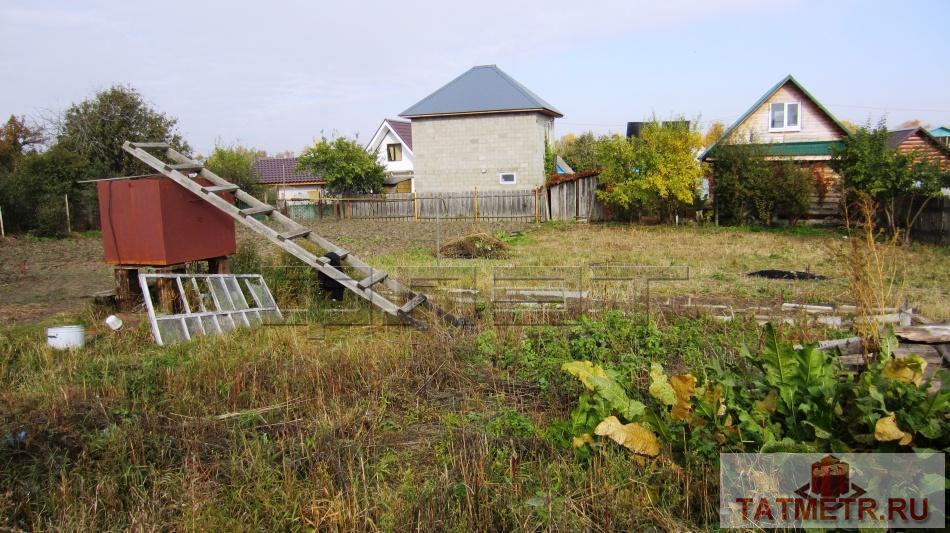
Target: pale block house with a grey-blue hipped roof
[[482, 130]]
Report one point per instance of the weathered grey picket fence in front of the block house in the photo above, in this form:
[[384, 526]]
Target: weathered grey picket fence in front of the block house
[[517, 205]]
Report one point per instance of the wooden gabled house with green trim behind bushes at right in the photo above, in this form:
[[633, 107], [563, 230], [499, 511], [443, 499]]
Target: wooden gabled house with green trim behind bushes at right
[[791, 124]]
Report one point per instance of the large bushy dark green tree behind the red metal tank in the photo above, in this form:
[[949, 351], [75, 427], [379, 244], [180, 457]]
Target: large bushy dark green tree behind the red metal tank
[[96, 128]]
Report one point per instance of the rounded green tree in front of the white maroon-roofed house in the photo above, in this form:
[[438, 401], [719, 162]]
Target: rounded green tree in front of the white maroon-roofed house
[[345, 165]]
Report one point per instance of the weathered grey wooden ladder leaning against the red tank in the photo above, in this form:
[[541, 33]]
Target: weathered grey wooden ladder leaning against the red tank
[[287, 233]]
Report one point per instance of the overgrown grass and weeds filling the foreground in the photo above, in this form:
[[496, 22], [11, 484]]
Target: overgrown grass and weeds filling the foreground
[[337, 429]]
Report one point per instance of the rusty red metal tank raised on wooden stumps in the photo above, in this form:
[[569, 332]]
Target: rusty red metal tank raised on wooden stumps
[[153, 221]]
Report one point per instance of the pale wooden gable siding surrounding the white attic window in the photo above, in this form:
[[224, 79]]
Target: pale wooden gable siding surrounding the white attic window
[[816, 125]]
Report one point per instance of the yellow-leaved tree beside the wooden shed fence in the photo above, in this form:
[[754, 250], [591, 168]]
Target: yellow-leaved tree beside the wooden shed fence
[[656, 171]]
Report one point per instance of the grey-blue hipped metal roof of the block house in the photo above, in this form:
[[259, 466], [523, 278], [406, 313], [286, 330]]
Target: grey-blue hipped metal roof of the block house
[[481, 89]]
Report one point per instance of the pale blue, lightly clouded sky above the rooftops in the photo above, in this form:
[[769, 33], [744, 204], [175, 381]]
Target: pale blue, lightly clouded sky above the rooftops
[[277, 75]]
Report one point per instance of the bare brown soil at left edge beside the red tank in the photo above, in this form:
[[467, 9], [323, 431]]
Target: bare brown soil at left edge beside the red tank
[[39, 278]]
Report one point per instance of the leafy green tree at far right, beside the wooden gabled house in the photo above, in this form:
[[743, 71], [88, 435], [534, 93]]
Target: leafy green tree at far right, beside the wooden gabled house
[[900, 183]]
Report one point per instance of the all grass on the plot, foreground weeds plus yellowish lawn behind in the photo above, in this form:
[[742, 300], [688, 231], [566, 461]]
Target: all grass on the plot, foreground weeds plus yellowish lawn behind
[[384, 428]]
